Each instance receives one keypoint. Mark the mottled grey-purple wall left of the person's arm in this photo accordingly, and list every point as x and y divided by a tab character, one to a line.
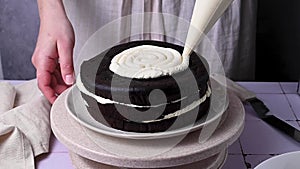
19	25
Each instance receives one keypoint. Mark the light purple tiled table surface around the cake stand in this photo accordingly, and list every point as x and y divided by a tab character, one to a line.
258	142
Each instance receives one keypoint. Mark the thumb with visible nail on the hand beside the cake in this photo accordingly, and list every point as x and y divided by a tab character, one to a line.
65	52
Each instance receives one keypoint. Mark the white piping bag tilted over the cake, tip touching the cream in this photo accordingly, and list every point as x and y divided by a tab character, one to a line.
205	15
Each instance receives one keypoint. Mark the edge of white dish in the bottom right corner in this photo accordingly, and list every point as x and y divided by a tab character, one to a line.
290	160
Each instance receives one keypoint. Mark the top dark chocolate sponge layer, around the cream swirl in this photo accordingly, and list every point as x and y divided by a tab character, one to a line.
97	78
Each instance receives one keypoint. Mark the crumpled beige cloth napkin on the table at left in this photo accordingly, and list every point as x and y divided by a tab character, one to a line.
24	125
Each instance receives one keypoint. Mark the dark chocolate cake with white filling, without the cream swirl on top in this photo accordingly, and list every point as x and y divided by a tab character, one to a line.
148	104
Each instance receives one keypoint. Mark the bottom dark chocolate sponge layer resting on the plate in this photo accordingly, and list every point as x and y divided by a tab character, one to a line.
109	116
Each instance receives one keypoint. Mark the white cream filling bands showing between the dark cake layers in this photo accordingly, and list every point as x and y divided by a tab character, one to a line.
177	113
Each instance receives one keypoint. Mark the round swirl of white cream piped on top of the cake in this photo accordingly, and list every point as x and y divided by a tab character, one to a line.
148	61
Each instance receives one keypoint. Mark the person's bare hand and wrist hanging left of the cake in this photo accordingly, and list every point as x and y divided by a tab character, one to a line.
53	55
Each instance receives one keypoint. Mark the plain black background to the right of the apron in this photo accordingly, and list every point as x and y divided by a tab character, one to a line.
278	40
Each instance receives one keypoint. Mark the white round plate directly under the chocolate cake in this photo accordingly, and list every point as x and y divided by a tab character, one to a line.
76	108
